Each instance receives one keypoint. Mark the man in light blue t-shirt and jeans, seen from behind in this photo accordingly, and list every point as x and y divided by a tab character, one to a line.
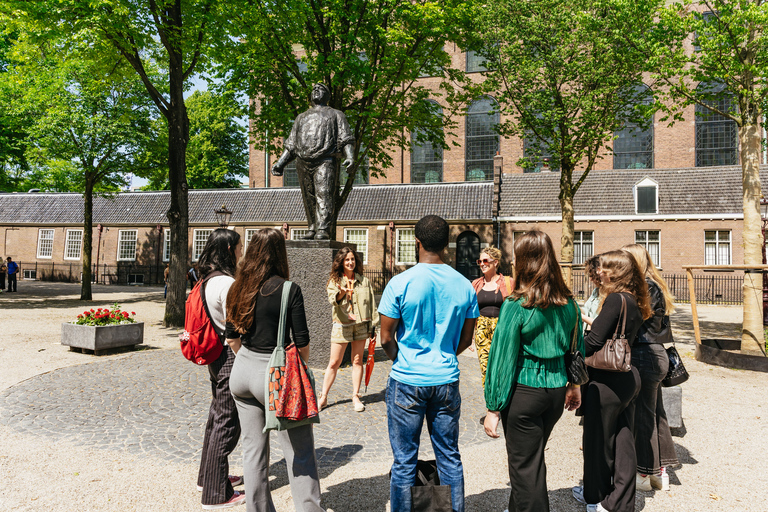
428	315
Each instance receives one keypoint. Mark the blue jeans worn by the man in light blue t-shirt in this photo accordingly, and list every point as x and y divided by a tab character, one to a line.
406	408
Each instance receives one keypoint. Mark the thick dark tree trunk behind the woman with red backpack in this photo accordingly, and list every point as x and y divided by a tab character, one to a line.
178	213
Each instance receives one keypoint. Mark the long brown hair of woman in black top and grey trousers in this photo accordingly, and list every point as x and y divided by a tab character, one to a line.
265	257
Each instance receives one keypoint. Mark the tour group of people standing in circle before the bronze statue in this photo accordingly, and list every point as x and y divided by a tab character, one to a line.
522	327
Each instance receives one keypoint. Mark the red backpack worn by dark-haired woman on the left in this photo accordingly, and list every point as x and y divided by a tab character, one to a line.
201	342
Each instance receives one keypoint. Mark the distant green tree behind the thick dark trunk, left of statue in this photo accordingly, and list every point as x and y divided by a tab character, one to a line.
217	154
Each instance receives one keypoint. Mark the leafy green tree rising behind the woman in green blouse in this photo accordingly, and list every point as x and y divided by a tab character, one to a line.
566	80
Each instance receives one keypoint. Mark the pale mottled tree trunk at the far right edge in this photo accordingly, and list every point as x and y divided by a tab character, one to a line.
752	336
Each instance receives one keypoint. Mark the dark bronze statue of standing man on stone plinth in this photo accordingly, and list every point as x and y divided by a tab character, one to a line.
319	136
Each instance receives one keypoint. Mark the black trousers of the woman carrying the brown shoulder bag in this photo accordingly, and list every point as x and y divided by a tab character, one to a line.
608	404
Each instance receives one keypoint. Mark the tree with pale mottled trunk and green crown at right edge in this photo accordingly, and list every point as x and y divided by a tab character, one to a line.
729	55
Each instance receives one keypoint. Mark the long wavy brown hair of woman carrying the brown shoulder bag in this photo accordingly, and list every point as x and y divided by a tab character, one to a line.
624	275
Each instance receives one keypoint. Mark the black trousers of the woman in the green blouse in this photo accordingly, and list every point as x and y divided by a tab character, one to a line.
528	421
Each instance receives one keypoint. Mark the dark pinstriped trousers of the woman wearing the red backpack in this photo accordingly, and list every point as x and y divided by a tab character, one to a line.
221	434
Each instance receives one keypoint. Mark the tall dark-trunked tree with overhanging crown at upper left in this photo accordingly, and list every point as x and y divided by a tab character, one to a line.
175	36
